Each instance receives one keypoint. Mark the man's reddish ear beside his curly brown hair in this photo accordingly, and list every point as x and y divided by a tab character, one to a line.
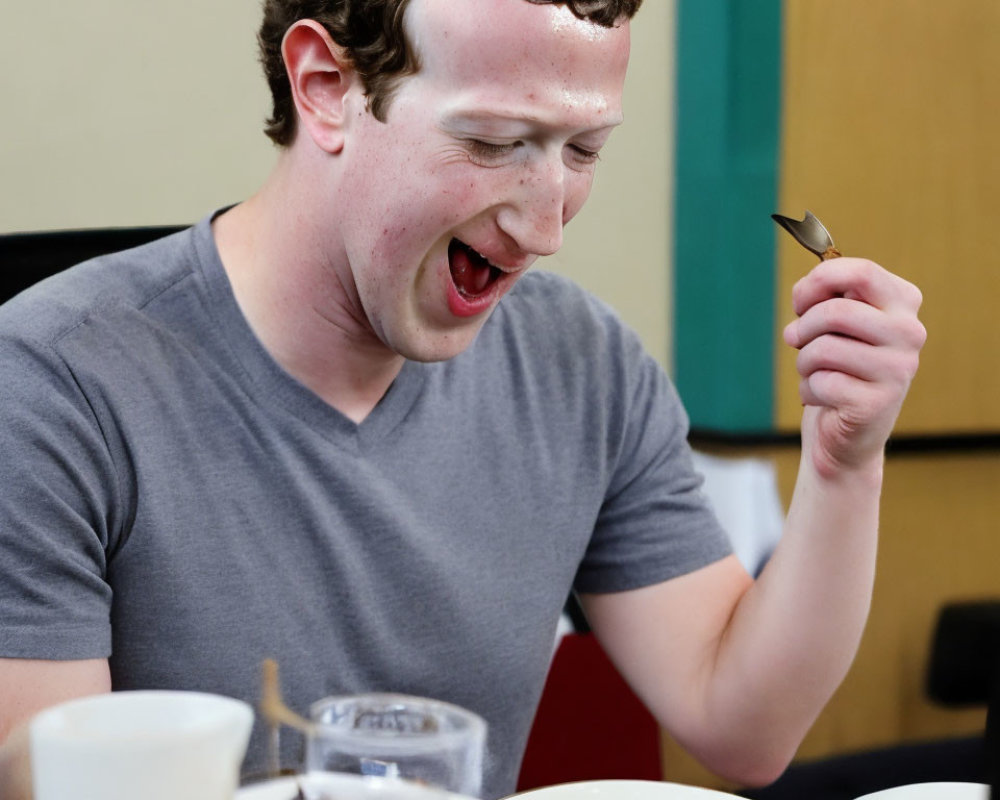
320	76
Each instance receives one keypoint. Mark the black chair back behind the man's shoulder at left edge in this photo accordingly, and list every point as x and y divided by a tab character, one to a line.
26	258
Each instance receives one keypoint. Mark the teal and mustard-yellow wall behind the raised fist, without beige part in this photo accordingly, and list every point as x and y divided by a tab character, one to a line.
882	119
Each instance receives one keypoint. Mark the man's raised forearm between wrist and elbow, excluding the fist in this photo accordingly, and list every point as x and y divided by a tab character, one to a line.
795	632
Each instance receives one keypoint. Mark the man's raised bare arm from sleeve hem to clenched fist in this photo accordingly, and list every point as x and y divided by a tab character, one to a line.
738	670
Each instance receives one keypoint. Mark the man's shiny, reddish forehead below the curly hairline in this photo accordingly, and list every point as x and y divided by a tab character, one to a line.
501	52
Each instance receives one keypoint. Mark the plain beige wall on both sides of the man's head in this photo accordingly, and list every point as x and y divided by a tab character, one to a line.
127	112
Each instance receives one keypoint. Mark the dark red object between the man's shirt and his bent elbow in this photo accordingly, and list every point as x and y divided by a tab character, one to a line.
589	724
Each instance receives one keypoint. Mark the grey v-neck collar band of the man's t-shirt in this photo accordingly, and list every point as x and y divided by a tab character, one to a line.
270	384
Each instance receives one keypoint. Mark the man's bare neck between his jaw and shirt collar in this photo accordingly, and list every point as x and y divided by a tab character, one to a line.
292	283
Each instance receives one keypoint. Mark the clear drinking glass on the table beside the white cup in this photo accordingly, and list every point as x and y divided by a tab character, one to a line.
399	736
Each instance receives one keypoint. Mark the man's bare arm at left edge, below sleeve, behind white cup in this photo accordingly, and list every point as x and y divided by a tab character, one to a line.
26	687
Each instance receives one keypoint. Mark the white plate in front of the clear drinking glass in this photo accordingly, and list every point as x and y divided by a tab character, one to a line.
342	787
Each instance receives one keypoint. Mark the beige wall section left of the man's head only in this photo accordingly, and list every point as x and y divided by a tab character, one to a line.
127	112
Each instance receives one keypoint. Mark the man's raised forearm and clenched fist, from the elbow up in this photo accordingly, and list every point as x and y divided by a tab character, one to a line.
795	632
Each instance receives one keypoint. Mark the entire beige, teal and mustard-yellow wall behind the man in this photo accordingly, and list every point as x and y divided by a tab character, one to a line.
880	118
